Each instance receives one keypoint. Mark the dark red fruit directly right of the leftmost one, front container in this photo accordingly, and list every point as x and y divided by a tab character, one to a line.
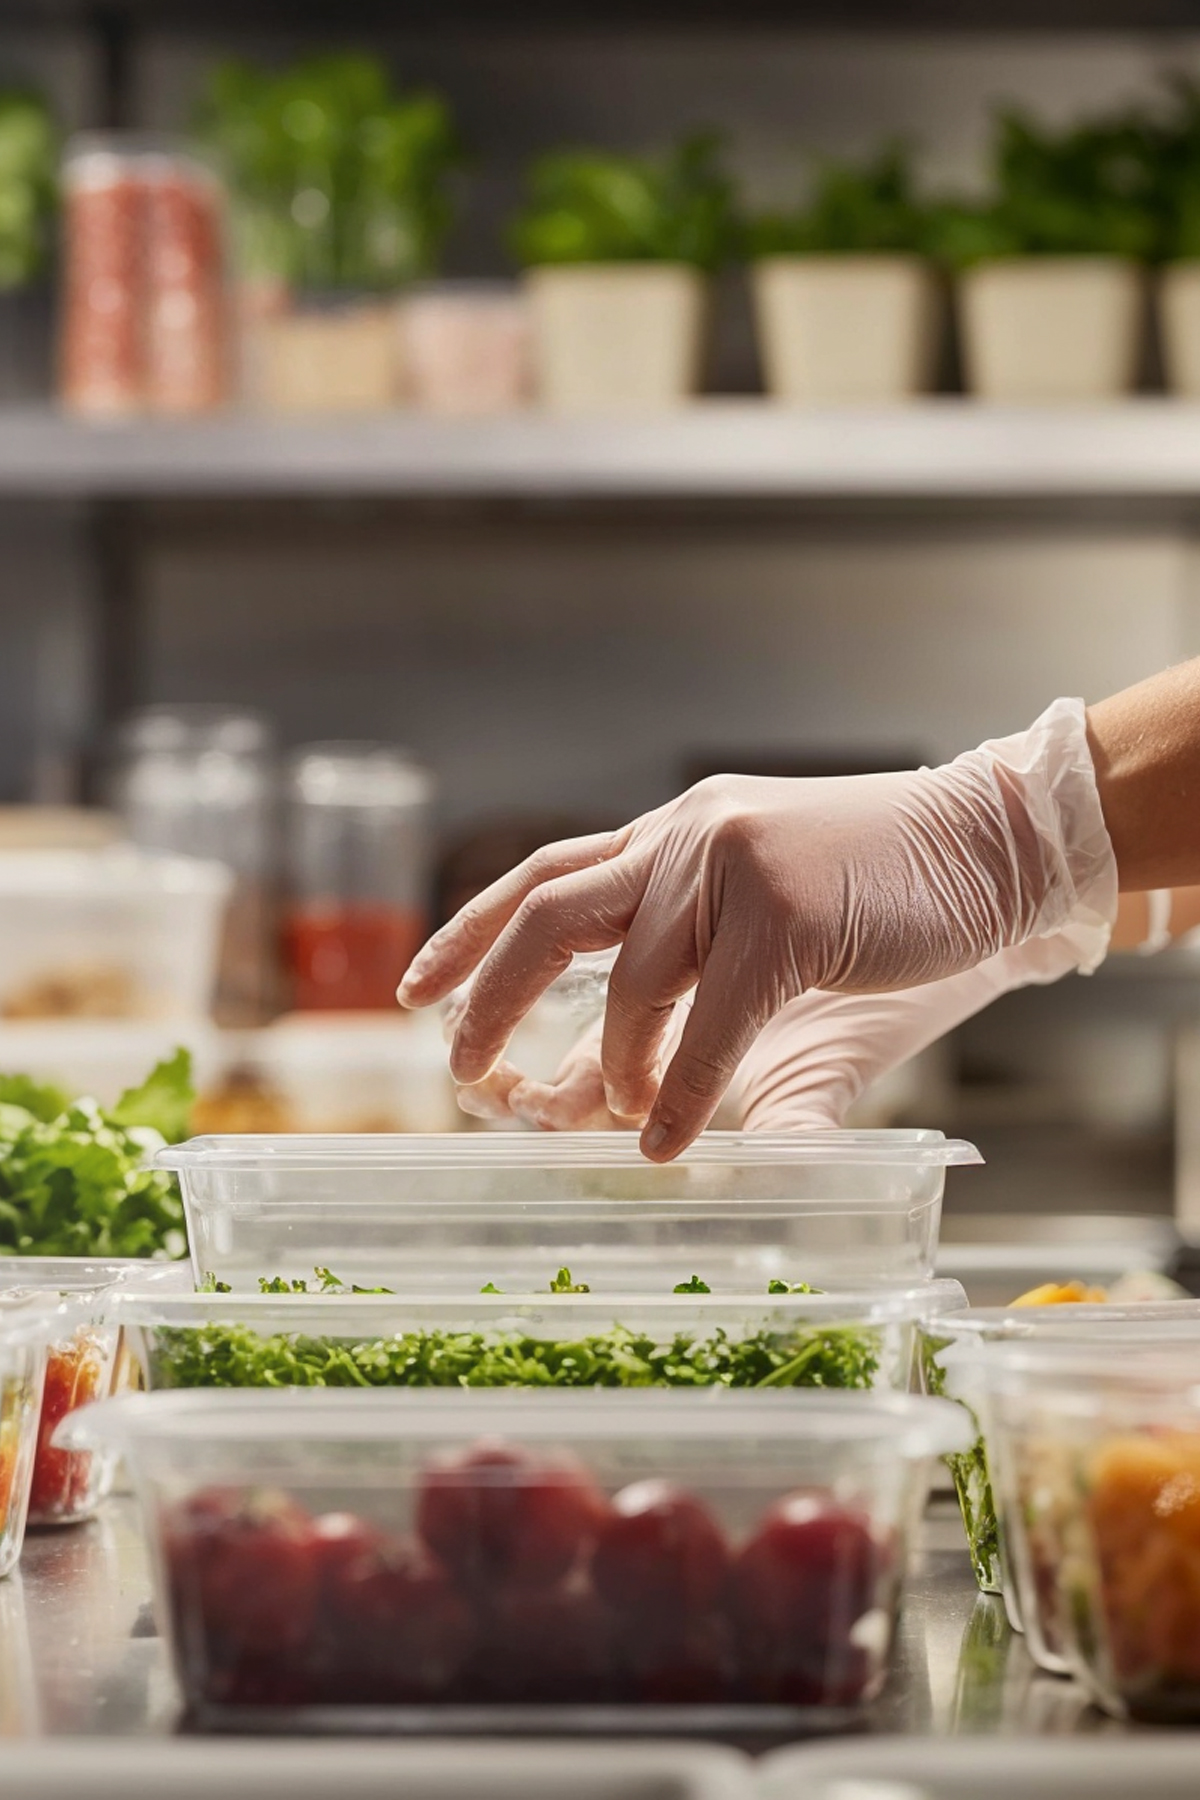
397	1626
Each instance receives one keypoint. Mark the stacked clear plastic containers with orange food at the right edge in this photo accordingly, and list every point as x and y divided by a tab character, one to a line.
1082	1489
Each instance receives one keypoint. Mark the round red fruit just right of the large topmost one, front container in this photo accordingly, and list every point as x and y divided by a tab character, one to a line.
661	1556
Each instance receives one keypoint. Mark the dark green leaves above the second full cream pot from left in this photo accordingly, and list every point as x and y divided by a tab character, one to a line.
854	210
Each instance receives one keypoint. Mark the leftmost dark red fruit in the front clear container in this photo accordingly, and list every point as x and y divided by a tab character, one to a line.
244	1570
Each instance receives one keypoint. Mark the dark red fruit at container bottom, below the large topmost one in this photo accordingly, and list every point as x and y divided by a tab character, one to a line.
546	1648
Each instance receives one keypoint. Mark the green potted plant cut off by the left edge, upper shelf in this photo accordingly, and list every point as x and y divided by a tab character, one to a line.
28	211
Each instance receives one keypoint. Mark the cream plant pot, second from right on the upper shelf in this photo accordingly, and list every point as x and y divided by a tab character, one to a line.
1052	328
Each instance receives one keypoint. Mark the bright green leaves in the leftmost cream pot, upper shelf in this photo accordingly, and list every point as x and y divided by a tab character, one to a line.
589	206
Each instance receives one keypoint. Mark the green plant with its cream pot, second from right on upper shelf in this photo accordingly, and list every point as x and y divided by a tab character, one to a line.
1052	269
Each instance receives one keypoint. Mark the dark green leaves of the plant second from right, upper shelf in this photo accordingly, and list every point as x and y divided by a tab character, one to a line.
1093	190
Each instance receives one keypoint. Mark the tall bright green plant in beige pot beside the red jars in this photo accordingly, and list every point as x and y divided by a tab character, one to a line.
341	201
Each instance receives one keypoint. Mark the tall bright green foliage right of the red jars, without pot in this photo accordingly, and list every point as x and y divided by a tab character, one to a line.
339	181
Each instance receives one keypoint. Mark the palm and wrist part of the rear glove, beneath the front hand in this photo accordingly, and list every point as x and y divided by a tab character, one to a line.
818	1056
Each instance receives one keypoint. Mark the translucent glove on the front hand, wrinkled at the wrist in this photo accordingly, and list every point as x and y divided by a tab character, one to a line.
758	890
